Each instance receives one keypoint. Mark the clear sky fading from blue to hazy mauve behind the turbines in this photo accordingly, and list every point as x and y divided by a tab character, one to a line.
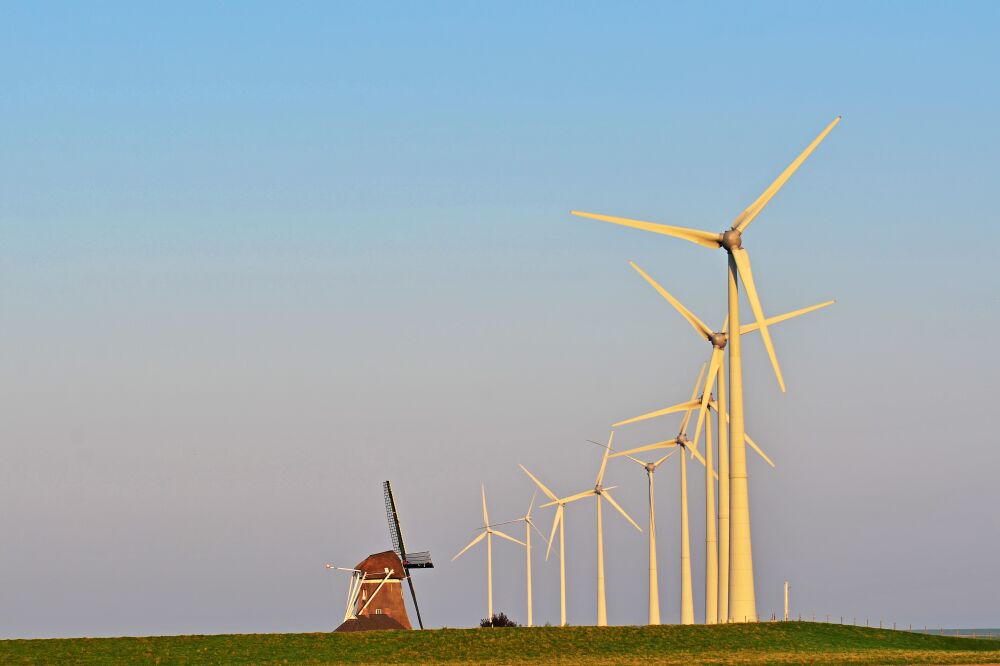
257	258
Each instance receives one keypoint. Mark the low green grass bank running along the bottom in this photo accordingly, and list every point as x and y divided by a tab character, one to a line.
766	643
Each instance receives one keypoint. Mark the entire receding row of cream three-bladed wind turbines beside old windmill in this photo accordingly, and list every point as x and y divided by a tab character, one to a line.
729	577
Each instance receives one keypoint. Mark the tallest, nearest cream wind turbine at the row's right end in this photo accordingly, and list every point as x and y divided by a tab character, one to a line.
742	603
